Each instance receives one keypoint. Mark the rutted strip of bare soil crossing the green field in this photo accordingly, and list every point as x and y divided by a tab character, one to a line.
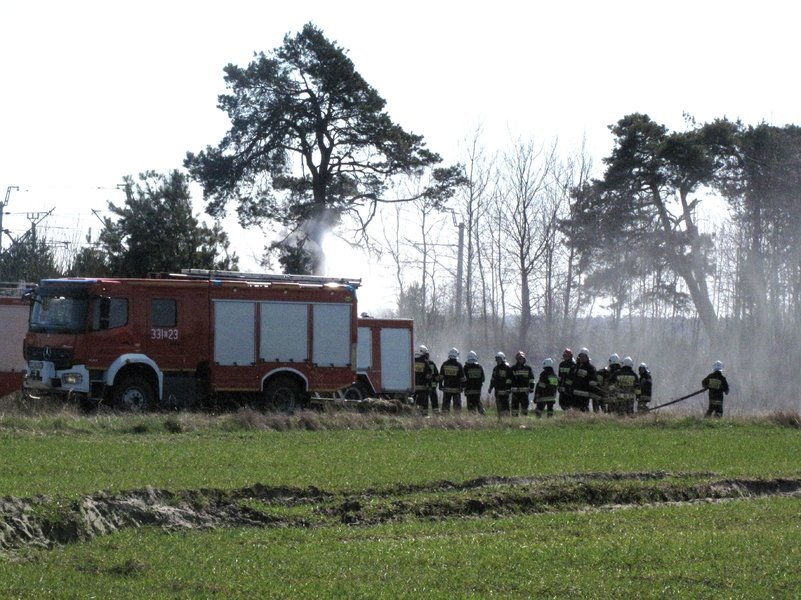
45	521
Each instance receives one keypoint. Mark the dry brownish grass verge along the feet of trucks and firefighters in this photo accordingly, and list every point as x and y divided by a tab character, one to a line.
43	416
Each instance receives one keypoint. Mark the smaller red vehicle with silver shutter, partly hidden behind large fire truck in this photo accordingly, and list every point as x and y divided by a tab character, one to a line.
384	359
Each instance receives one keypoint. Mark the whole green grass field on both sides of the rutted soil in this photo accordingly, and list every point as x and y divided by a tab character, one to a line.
416	536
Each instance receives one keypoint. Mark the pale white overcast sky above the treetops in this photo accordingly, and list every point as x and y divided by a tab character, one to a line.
93	91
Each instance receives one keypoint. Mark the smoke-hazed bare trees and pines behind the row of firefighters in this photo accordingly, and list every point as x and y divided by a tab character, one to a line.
685	250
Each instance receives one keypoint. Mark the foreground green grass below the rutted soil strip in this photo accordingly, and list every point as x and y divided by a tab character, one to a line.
739	549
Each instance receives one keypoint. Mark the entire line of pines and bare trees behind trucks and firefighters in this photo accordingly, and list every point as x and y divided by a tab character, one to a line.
686	248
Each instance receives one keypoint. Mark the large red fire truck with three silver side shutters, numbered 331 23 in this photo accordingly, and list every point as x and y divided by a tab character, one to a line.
183	338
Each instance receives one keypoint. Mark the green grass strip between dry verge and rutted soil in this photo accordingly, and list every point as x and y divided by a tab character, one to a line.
83	459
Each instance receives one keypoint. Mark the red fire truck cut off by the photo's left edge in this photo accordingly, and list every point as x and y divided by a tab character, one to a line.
14	320
